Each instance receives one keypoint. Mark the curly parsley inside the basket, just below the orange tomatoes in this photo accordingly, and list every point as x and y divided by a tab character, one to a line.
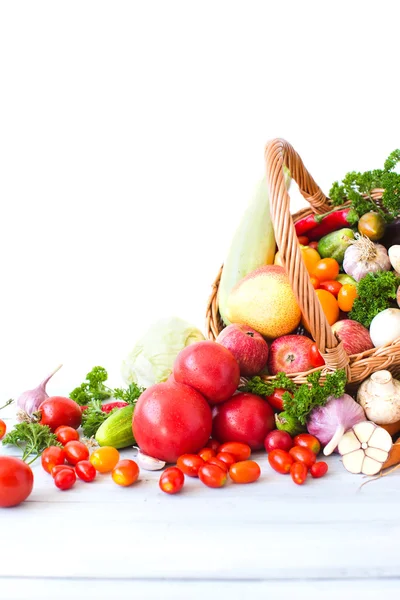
375	293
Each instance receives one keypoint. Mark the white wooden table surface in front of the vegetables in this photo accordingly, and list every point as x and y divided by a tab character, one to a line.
269	539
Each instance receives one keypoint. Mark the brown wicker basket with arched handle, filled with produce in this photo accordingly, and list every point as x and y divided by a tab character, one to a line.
358	366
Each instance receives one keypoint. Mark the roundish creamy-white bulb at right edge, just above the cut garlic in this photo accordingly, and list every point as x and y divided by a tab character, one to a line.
379	395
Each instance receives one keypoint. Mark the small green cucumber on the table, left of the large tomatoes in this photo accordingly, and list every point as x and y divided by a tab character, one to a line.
116	431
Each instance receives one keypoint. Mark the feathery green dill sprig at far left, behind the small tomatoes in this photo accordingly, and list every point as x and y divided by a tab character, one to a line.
31	439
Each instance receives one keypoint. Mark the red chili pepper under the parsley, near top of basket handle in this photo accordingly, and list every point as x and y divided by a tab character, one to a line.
316	226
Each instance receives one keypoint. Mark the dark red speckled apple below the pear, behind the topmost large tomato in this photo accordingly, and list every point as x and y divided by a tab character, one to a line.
247	346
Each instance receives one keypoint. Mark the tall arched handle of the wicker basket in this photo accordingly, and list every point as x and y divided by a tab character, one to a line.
279	153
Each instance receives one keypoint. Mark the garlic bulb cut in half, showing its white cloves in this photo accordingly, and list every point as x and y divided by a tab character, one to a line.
365	448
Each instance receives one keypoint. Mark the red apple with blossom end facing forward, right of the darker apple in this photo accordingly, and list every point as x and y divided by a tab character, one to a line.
290	354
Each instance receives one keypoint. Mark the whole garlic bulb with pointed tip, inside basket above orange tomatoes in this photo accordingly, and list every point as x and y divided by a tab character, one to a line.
363	256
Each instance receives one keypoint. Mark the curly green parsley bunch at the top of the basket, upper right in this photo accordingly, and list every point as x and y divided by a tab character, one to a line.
355	185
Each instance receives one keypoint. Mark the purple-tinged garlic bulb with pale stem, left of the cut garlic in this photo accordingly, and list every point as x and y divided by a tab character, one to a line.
328	423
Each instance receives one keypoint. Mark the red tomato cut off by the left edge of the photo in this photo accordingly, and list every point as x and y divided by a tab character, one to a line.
16	481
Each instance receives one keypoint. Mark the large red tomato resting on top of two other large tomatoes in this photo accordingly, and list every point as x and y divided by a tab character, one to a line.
210	369
